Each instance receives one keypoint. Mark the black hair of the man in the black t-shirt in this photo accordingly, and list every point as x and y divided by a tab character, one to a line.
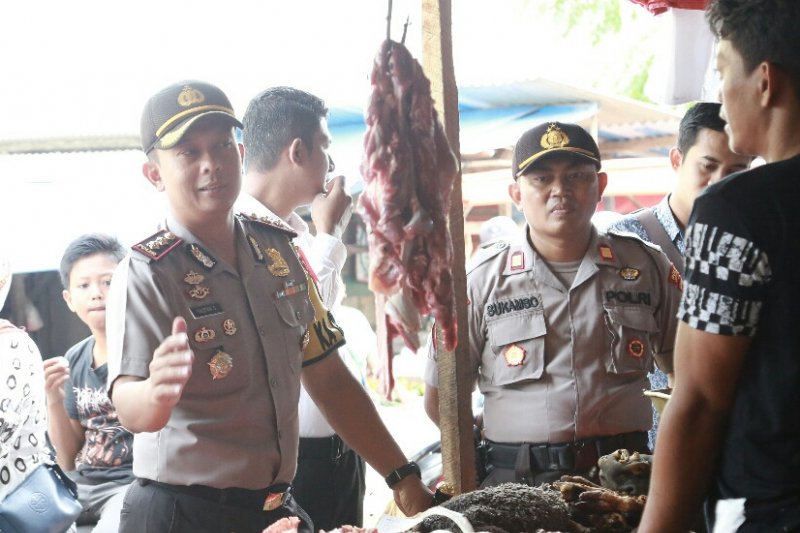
760	30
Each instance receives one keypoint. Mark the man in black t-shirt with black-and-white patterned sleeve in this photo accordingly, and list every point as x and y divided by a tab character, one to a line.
730	432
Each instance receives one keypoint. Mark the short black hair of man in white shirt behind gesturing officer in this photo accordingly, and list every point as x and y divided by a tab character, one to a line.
273	119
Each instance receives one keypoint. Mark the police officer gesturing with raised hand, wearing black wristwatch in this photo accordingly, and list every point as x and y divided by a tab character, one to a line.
212	322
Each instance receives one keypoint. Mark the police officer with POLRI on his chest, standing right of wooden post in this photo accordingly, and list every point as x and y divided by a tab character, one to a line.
564	322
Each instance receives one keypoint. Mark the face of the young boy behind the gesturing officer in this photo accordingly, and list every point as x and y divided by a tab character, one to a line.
89	280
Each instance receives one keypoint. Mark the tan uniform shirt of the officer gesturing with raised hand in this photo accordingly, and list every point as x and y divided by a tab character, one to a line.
238	429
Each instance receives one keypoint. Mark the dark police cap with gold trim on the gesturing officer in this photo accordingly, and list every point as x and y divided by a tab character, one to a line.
170	113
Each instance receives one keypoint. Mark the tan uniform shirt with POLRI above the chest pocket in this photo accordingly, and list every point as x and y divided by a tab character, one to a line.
558	364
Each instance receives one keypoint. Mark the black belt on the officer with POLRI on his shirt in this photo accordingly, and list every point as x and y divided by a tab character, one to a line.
576	456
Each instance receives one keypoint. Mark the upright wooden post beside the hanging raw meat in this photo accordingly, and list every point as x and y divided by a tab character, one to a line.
455	382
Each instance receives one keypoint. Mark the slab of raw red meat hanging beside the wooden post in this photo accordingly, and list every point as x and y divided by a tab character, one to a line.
408	170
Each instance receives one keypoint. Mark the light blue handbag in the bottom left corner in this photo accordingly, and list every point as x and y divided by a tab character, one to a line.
45	502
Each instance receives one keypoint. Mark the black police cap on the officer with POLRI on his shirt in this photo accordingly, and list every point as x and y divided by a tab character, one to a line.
553	138
